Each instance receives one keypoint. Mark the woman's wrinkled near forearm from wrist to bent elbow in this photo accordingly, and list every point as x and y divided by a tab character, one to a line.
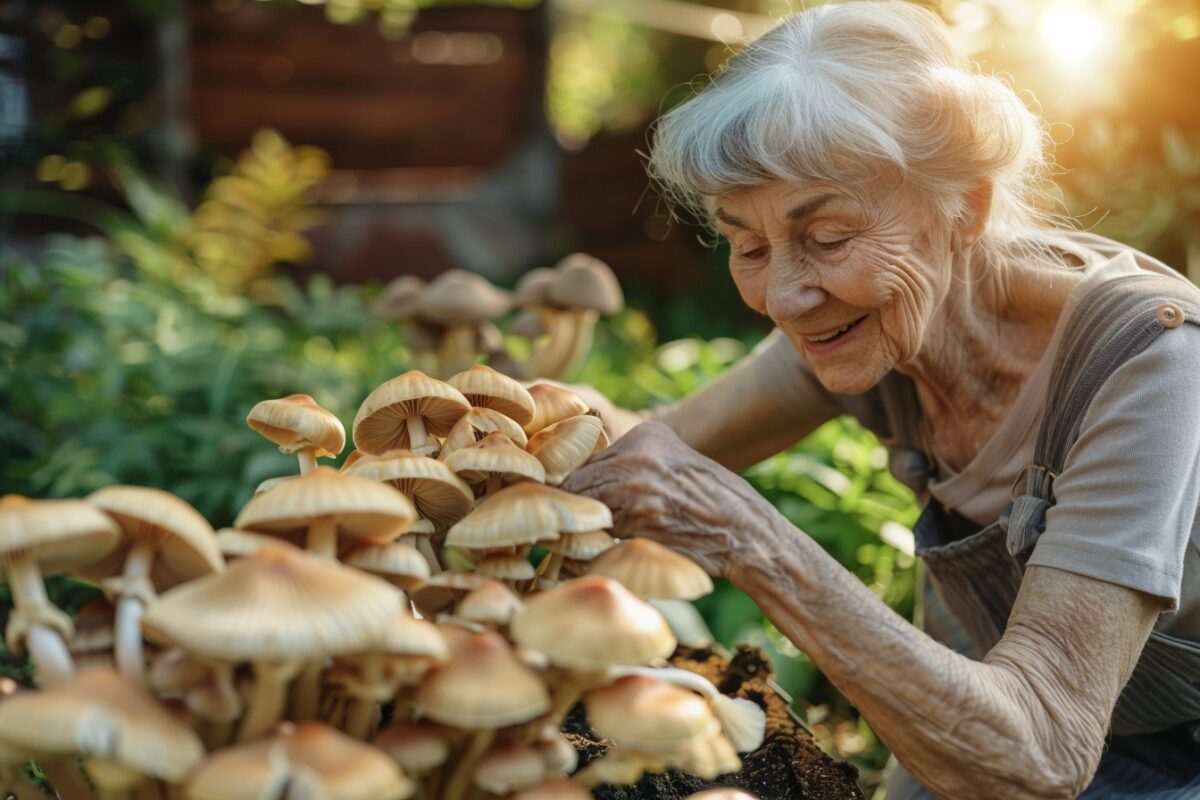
964	729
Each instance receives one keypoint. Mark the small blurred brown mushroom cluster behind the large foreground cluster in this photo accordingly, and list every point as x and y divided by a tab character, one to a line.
449	323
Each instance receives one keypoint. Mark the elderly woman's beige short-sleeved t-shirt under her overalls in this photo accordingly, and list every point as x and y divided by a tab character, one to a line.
1129	500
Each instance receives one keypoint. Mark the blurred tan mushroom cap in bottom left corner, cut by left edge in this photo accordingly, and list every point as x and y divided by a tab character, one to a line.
101	714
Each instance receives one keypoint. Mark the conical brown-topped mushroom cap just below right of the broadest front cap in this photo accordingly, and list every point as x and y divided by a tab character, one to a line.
483	687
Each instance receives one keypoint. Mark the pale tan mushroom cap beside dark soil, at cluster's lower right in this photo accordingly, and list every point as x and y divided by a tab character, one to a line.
647	715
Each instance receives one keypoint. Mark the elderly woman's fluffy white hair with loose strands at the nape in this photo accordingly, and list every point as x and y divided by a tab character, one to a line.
855	93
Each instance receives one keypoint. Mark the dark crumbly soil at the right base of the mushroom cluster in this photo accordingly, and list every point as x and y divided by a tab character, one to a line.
789	766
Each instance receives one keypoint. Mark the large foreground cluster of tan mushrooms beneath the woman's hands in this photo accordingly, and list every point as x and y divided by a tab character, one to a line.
368	634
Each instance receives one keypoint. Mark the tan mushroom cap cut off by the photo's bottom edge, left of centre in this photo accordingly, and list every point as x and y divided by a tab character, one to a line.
310	761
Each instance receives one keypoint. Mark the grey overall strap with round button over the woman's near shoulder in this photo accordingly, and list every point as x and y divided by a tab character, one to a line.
1114	322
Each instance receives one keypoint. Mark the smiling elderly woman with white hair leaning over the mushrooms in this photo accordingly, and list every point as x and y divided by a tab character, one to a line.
881	204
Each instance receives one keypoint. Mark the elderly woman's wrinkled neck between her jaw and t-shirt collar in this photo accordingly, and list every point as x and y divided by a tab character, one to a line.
985	342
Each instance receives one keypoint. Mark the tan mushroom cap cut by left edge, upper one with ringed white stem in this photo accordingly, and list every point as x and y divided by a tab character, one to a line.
61	534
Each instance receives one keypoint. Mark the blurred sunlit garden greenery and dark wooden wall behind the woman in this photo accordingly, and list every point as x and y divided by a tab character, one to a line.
200	201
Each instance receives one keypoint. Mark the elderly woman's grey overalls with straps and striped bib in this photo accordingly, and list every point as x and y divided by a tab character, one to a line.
1154	751
